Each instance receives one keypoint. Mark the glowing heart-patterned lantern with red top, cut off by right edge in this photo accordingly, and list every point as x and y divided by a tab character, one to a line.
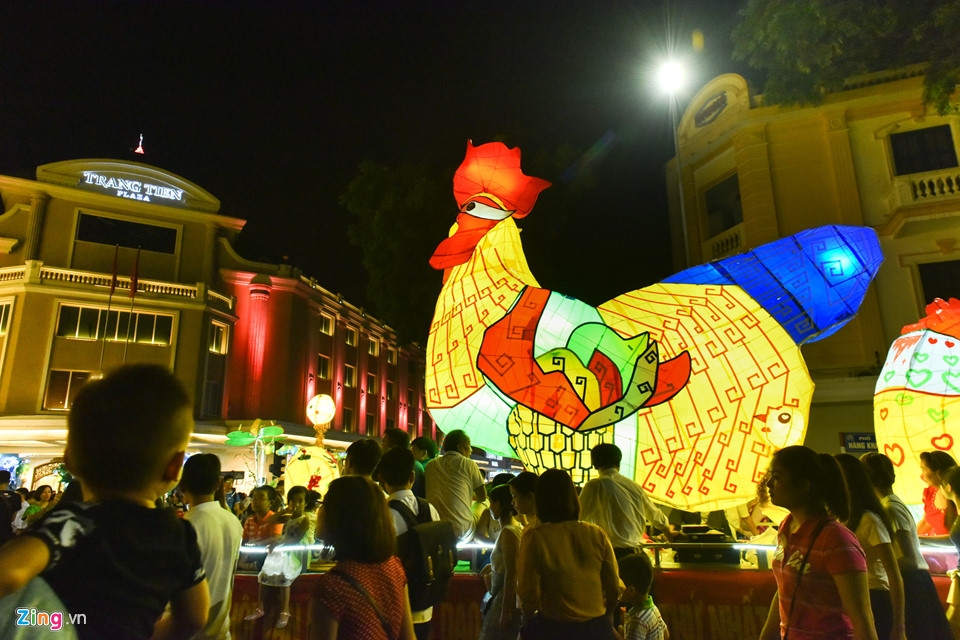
916	406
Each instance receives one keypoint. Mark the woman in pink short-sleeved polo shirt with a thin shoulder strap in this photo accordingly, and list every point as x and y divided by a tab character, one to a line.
821	570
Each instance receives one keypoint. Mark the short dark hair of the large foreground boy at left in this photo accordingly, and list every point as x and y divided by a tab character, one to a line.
123	428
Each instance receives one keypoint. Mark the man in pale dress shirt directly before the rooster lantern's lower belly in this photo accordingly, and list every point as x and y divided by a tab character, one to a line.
617	504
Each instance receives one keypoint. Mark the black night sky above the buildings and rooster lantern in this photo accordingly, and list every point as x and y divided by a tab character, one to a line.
272	106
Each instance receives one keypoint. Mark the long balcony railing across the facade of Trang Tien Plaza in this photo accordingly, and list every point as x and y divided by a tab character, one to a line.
36	270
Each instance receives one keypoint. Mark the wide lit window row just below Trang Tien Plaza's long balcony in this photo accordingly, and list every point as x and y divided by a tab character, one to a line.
92	323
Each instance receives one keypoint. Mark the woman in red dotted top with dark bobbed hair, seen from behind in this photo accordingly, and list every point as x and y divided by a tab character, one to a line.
355	519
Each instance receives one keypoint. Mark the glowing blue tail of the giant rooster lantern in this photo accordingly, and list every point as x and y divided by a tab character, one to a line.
812	282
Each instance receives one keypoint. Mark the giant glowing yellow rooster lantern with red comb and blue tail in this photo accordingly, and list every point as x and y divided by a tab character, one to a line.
697	379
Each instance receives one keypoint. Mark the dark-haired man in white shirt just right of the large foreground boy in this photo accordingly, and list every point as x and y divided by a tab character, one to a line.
218	535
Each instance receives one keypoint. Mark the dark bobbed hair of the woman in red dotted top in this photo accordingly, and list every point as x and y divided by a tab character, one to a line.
357	521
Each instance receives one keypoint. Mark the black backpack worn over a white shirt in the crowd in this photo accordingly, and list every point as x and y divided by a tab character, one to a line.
428	551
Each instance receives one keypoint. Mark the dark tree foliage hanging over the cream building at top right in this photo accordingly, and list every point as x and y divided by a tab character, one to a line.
809	47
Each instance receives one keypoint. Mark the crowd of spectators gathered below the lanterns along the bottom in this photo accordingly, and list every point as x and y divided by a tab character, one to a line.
567	562
